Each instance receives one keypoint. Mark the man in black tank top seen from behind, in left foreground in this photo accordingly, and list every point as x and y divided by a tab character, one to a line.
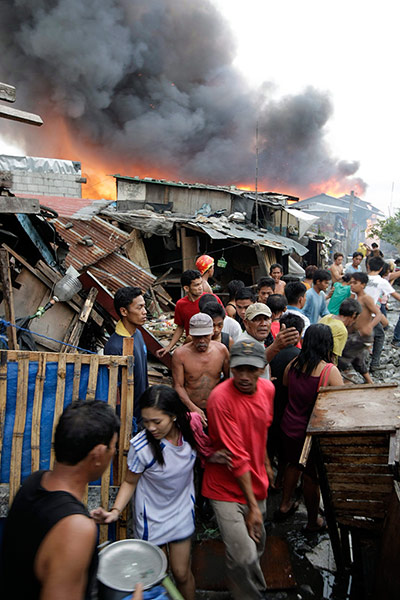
49	544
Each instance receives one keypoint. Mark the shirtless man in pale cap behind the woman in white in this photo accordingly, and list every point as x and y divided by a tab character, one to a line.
197	366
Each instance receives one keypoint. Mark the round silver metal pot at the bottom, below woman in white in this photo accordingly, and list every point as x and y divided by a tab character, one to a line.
125	563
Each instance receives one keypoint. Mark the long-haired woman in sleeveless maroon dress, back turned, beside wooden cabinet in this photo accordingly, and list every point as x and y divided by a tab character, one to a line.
304	375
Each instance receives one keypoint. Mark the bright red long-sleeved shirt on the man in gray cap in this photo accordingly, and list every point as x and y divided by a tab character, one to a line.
238	422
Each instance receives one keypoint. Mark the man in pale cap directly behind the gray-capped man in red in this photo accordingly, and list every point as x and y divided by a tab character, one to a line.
257	324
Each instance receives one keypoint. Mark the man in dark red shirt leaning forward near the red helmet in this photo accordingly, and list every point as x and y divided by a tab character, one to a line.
186	307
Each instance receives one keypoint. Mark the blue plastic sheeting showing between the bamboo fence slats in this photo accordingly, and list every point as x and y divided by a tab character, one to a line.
47	413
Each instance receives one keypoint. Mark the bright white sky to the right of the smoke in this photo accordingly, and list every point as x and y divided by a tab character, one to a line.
348	48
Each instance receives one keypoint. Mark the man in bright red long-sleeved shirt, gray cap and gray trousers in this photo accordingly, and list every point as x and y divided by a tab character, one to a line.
239	412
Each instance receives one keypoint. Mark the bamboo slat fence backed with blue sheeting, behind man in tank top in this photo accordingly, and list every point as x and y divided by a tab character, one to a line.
26	397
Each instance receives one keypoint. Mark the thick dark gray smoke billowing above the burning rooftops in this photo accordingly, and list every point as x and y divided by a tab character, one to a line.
151	82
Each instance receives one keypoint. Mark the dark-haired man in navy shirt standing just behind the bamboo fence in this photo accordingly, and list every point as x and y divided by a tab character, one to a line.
130	306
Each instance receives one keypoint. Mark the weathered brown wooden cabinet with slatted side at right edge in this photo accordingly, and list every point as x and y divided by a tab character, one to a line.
356	443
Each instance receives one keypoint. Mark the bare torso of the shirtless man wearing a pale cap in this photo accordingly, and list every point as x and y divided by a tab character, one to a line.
196	373
